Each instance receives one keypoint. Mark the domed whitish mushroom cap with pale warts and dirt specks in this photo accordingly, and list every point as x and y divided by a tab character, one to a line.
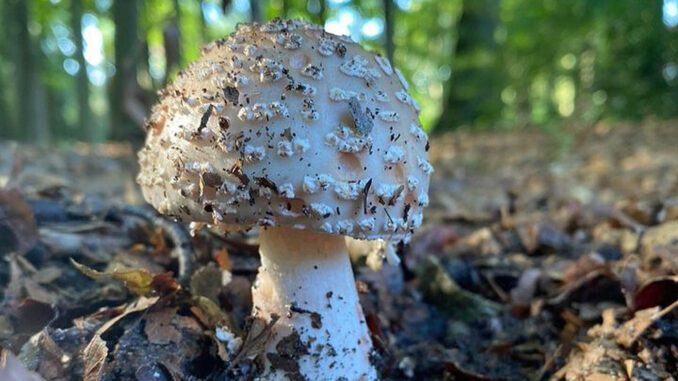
284	124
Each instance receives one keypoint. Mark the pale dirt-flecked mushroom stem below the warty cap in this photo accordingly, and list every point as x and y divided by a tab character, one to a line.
306	279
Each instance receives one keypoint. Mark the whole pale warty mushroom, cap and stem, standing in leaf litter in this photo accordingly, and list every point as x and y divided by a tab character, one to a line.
311	138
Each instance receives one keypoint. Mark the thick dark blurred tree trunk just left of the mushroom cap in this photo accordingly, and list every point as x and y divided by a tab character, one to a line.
124	84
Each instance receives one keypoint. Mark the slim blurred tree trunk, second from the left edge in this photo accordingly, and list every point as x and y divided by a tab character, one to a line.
84	126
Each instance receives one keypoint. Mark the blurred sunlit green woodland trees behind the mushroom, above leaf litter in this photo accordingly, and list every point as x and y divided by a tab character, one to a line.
89	69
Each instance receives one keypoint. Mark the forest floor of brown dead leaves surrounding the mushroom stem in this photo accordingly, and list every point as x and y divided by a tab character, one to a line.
542	257
